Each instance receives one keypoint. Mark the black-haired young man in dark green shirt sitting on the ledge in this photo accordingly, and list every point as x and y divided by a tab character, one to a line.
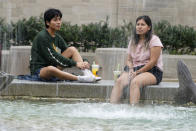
50	54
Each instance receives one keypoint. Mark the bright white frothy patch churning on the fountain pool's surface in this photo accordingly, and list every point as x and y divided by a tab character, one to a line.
109	111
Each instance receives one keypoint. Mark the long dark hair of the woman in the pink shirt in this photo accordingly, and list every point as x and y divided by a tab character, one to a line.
148	35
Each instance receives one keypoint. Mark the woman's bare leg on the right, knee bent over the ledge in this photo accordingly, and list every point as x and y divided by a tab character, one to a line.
138	82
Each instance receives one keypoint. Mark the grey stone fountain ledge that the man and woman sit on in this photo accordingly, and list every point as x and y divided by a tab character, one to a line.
74	91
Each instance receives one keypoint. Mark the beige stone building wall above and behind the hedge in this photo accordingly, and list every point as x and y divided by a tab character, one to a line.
86	11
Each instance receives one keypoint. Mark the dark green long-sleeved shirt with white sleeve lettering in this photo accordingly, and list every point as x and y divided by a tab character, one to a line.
46	51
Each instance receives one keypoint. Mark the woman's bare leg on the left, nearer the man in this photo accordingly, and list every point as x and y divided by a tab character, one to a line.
117	90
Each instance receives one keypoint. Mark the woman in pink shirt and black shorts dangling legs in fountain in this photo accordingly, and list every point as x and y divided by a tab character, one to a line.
144	63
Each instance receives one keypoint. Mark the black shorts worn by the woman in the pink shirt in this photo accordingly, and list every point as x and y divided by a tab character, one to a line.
155	71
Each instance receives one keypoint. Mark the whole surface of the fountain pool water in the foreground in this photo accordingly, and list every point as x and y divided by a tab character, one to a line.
26	115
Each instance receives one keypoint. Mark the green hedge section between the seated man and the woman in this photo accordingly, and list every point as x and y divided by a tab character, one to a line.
95	35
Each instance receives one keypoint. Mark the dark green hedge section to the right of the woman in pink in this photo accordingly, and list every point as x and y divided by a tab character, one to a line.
177	39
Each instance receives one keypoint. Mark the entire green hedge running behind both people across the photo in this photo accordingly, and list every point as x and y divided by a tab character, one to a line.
177	39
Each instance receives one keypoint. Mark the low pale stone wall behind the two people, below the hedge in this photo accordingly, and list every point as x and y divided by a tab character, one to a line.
16	61
